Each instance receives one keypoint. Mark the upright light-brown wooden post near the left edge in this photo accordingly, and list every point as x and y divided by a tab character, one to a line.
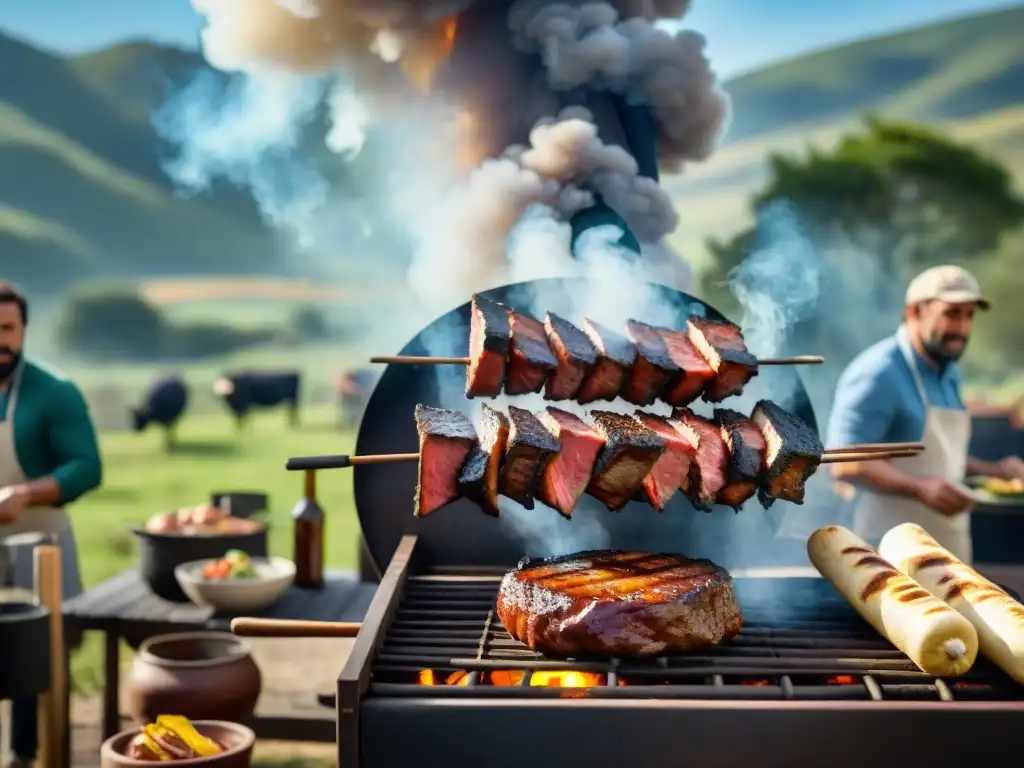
52	705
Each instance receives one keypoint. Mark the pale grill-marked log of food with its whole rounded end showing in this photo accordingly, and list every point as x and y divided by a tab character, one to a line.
935	637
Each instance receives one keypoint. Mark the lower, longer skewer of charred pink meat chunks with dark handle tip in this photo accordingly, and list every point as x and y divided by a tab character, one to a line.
558	457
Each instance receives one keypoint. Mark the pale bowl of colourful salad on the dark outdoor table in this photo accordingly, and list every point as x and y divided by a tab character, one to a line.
236	583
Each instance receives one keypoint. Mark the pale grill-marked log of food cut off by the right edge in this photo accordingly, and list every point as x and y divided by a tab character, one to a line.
998	618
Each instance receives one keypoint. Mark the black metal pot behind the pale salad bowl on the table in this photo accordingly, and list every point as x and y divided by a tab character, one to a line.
159	554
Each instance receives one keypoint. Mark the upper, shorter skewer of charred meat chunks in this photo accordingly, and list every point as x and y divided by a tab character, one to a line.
509	349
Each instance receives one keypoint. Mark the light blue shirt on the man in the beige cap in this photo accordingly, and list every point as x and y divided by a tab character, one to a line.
877	400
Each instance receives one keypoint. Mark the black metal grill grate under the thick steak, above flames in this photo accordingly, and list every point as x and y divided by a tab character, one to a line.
817	650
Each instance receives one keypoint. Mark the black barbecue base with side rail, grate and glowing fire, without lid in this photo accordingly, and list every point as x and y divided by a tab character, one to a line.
435	678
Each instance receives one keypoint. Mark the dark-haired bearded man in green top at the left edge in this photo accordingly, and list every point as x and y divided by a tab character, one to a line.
49	458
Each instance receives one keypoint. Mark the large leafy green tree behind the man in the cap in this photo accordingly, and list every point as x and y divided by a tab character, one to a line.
904	193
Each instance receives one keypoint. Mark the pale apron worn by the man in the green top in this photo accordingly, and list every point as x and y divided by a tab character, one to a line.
52	521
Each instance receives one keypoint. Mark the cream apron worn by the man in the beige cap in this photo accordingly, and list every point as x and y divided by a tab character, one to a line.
947	440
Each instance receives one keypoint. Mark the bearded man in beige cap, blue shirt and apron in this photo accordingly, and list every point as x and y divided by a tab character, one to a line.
907	389
